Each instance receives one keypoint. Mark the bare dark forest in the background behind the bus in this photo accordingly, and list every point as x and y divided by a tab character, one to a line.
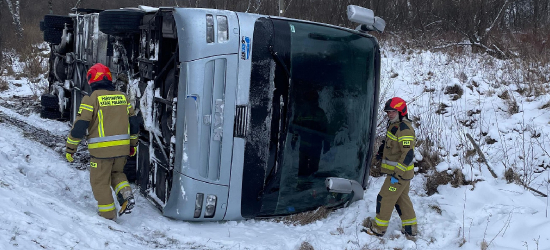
502	28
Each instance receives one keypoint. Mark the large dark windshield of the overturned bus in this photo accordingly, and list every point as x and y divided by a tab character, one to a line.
329	113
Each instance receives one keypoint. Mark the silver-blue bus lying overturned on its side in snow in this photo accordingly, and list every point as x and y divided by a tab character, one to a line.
243	115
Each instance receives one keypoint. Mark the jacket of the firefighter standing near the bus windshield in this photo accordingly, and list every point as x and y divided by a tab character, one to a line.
398	153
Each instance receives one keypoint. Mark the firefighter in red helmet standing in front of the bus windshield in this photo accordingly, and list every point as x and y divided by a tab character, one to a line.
397	162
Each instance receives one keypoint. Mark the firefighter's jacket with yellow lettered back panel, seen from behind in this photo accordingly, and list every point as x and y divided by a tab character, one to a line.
112	127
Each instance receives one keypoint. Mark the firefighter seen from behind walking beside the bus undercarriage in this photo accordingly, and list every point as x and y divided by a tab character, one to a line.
112	128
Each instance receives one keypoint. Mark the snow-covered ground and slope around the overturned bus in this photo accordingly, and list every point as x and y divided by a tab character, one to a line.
46	203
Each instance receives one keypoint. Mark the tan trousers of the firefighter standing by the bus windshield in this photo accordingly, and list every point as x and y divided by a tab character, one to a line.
395	195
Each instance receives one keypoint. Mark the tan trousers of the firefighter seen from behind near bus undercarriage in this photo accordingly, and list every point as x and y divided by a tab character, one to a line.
104	175
